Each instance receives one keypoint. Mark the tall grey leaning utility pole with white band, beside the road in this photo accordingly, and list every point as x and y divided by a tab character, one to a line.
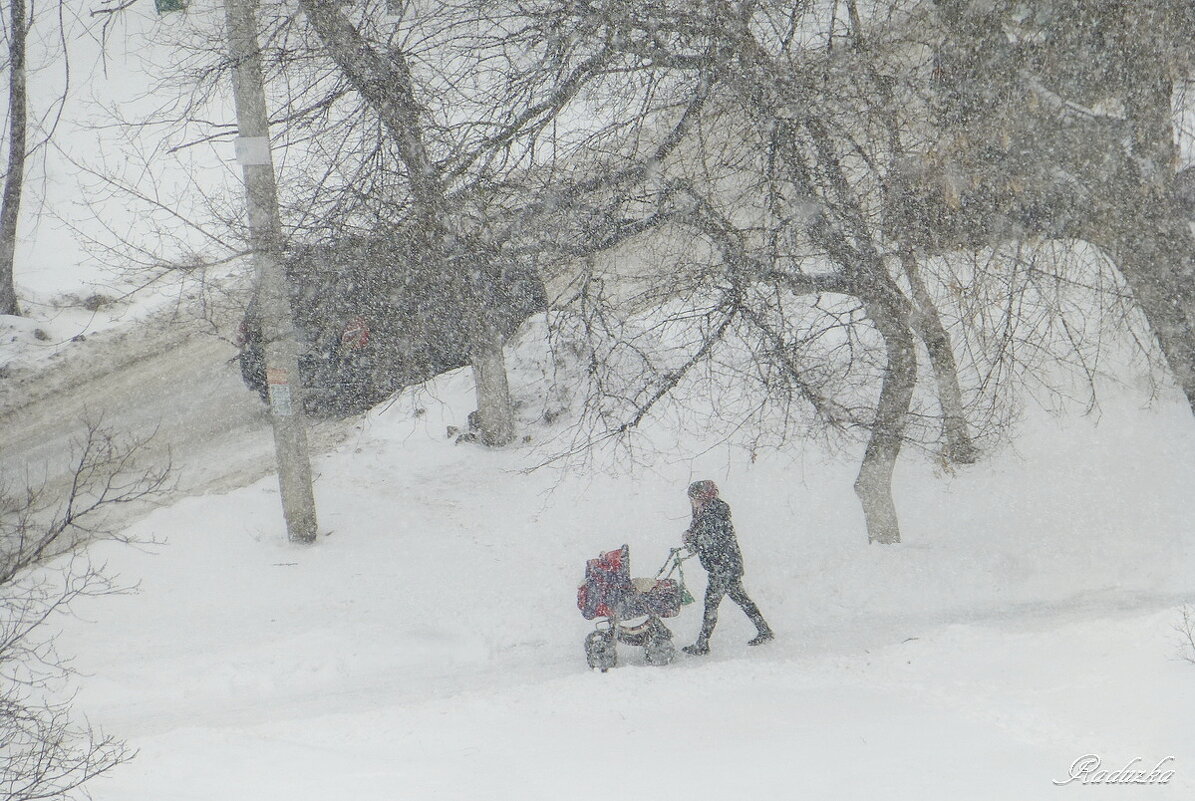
274	302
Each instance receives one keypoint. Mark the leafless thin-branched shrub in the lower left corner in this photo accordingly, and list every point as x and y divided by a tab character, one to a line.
45	567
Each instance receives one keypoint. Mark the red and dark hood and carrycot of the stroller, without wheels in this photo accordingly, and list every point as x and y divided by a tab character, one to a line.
609	590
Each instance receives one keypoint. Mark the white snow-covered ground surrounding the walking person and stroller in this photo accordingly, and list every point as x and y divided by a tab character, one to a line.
430	646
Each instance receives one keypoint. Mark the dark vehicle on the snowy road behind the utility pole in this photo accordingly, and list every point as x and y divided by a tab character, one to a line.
367	326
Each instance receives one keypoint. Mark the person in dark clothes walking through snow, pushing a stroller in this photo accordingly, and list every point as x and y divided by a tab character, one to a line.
713	537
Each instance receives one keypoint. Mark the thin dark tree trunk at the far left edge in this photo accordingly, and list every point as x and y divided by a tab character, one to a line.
15	180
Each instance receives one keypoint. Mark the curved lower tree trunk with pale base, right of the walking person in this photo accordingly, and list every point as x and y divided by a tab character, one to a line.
875	480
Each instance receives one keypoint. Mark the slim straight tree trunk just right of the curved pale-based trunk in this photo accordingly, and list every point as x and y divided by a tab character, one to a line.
928	325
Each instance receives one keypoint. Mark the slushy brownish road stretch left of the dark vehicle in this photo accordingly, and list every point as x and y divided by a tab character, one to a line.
171	380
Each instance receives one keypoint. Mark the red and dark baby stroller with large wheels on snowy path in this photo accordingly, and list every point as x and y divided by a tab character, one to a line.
612	595
